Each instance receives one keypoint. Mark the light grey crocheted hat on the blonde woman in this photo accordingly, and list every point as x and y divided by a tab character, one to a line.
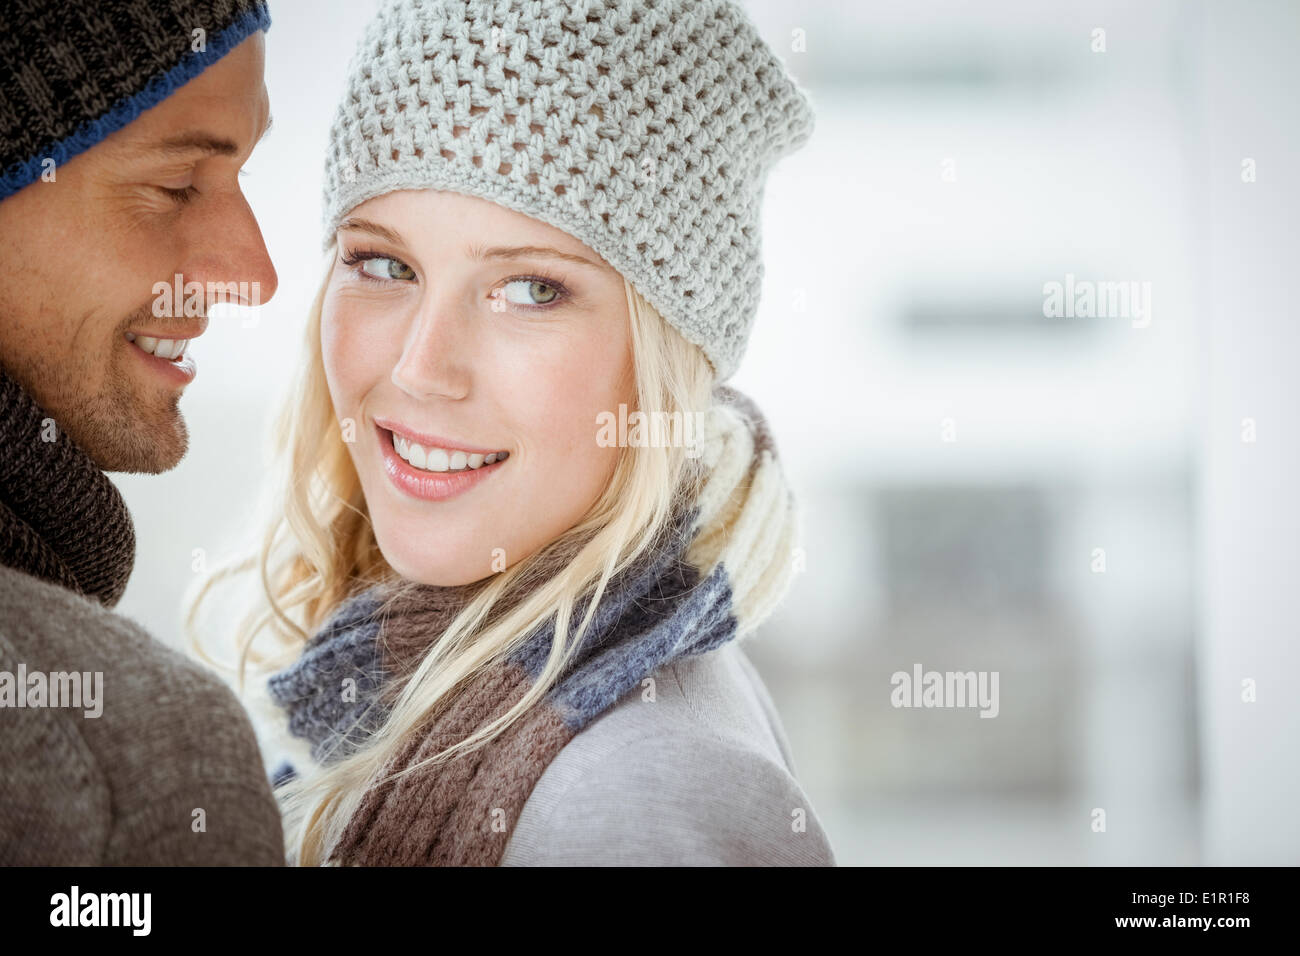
643	129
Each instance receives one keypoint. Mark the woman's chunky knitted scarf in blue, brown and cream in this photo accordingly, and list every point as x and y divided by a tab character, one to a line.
723	565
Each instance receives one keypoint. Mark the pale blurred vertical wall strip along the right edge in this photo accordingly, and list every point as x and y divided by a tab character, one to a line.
1250	471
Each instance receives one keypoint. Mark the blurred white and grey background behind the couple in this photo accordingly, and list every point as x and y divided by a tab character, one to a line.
964	157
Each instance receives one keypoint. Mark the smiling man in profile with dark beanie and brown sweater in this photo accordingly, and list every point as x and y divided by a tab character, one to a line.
124	129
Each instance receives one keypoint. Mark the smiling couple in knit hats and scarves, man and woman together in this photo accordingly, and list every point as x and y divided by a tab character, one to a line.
496	639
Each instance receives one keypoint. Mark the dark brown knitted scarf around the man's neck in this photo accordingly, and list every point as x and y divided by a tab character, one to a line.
62	520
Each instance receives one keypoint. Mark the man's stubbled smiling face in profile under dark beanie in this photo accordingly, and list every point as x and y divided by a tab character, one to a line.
80	258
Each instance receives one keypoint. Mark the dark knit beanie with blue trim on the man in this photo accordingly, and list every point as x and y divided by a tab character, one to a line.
76	71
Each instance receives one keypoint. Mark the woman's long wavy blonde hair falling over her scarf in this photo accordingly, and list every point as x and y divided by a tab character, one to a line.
320	548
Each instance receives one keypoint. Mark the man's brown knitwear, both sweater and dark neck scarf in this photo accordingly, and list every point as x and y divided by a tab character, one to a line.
168	771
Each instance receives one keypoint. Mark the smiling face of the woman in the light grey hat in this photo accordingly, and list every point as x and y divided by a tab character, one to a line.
456	331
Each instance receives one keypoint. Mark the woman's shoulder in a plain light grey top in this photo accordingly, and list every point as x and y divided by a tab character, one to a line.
694	768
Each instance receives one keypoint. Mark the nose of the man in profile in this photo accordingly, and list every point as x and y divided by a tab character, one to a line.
235	261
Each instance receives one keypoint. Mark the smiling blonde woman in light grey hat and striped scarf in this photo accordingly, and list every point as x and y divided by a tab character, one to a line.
513	605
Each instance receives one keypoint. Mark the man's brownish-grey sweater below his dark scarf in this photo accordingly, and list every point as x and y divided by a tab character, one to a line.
168	775
